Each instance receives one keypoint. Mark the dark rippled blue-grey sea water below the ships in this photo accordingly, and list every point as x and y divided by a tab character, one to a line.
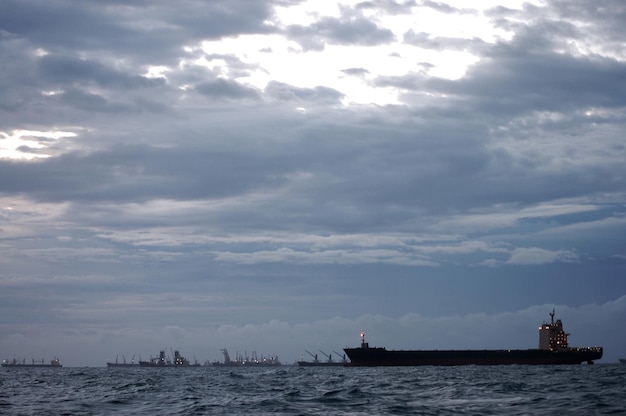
291	390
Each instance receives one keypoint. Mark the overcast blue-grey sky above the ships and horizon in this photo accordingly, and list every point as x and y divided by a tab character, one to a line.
280	175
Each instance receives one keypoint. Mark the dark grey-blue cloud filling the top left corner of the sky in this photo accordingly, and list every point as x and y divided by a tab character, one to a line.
142	31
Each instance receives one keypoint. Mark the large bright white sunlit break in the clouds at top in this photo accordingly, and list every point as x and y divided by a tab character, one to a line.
277	58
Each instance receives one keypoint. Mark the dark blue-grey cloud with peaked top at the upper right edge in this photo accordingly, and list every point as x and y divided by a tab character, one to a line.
525	75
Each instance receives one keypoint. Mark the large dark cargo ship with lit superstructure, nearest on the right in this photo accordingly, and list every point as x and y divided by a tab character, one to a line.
553	349
